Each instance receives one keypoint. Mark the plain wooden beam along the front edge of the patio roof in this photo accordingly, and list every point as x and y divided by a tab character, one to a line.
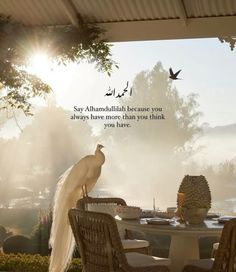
169	29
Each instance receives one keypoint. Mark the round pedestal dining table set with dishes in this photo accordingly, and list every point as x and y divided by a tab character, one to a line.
184	244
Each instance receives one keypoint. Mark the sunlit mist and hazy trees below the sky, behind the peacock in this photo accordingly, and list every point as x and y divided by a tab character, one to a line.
145	161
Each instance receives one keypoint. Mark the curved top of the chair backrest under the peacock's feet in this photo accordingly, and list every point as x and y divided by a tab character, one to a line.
81	203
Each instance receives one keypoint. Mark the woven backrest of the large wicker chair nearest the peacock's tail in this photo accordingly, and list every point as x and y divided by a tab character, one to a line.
98	240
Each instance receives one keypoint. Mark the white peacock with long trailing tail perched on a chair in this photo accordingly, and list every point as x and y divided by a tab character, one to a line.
68	191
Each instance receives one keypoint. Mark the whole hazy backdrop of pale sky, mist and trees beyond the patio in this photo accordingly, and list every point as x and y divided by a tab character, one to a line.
147	160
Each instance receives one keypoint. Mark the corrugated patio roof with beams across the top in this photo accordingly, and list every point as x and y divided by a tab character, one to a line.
132	20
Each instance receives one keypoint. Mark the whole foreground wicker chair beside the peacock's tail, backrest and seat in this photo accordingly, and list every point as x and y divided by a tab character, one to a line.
99	243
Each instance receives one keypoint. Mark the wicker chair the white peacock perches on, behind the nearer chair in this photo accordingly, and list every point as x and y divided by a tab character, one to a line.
129	243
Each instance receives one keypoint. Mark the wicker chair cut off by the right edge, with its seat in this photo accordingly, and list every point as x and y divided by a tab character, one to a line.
225	258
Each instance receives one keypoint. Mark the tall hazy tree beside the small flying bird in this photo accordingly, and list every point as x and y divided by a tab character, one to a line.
154	89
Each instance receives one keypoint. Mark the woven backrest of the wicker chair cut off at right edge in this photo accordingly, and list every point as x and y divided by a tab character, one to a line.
225	259
